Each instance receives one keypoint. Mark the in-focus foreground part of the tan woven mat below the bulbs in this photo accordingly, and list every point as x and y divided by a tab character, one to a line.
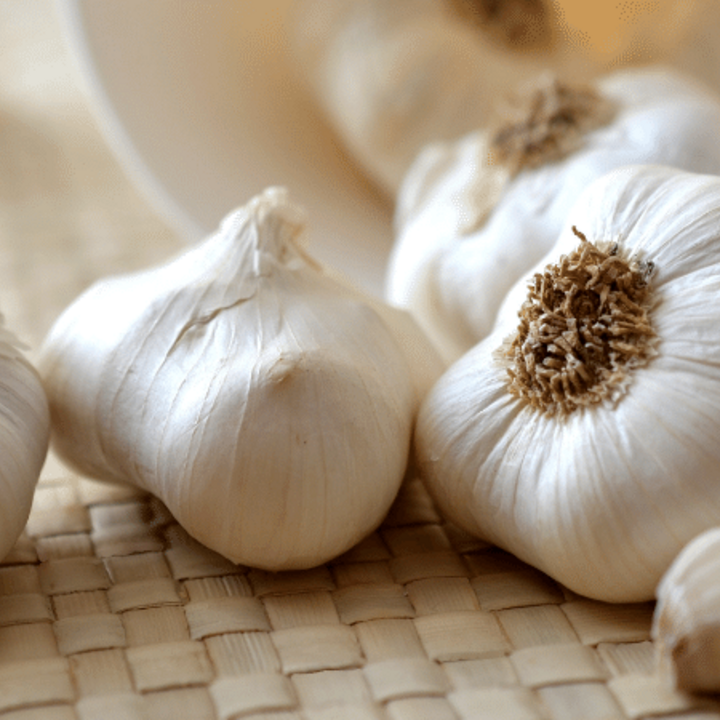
108	609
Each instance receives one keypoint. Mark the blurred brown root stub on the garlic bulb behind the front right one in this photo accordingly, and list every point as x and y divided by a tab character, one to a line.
549	125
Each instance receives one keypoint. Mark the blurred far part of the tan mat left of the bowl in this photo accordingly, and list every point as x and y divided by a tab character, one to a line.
63	195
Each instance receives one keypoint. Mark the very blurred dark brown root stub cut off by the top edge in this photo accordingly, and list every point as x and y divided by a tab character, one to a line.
519	24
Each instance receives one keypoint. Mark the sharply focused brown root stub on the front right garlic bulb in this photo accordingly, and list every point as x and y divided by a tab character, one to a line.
583	328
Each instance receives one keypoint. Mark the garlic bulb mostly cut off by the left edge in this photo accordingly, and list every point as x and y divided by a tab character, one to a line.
24	433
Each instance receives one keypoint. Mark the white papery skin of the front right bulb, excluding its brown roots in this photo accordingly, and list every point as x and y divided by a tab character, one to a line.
604	499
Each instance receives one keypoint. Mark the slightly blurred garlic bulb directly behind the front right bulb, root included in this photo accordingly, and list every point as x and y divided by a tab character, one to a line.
476	214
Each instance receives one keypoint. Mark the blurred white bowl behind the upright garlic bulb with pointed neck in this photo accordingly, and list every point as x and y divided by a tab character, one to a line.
199	101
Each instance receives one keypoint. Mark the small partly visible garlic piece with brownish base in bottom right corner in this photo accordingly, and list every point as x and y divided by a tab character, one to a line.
686	622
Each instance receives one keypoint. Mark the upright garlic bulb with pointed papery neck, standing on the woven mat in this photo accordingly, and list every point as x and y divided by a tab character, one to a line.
267	405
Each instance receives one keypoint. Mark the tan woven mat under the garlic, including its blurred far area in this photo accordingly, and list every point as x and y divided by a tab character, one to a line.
109	610
